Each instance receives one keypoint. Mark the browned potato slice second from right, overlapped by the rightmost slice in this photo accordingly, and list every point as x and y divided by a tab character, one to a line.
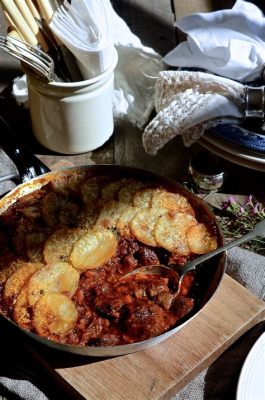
170	232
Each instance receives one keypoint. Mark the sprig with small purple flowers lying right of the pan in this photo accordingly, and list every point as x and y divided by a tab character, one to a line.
237	219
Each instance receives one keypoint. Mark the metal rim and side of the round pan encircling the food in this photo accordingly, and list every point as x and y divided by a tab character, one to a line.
110	169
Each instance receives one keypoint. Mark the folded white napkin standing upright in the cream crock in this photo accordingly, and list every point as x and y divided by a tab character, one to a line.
84	28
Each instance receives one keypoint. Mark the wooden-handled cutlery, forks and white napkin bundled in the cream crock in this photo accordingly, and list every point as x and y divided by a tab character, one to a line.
59	30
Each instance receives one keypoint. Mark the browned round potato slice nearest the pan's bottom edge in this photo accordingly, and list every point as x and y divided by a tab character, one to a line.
54	314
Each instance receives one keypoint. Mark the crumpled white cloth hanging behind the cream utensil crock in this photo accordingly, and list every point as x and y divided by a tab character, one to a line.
135	75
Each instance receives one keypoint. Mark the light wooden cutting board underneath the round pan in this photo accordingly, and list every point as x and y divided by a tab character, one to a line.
161	371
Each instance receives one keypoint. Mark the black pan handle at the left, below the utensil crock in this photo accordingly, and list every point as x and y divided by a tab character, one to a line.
27	164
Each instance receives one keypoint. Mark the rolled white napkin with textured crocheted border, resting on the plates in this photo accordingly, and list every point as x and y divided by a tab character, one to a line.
187	103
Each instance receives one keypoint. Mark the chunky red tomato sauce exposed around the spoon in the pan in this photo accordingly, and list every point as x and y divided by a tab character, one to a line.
115	310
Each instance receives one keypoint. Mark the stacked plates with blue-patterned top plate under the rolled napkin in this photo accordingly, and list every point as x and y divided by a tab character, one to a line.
238	144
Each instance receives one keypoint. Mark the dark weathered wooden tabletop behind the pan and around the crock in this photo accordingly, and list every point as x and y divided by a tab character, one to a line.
125	146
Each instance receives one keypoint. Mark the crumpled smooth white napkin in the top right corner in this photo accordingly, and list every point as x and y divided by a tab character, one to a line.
229	43
